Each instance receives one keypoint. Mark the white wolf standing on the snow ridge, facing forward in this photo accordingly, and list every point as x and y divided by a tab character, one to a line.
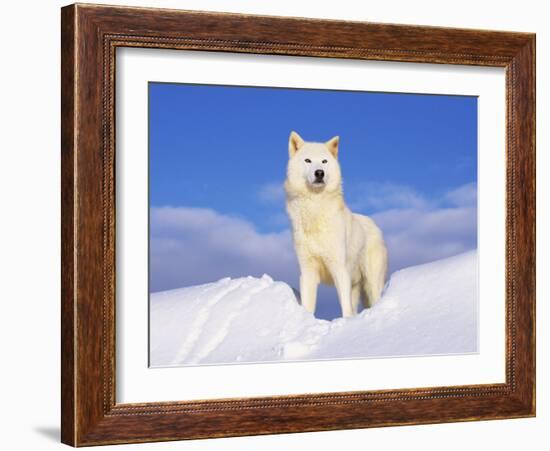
333	245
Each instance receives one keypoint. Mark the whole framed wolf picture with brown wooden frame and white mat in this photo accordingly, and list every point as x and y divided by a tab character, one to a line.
279	225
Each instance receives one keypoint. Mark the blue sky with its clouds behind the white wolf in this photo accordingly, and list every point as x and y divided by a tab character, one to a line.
218	157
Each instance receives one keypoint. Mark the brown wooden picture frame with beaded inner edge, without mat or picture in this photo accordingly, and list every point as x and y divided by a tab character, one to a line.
90	412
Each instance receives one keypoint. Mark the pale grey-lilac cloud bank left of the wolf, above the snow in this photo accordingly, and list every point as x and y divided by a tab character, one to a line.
197	245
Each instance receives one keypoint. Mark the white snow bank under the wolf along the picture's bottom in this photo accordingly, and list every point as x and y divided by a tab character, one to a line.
426	309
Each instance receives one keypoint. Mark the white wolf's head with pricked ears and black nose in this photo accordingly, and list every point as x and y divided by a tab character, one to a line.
312	167
